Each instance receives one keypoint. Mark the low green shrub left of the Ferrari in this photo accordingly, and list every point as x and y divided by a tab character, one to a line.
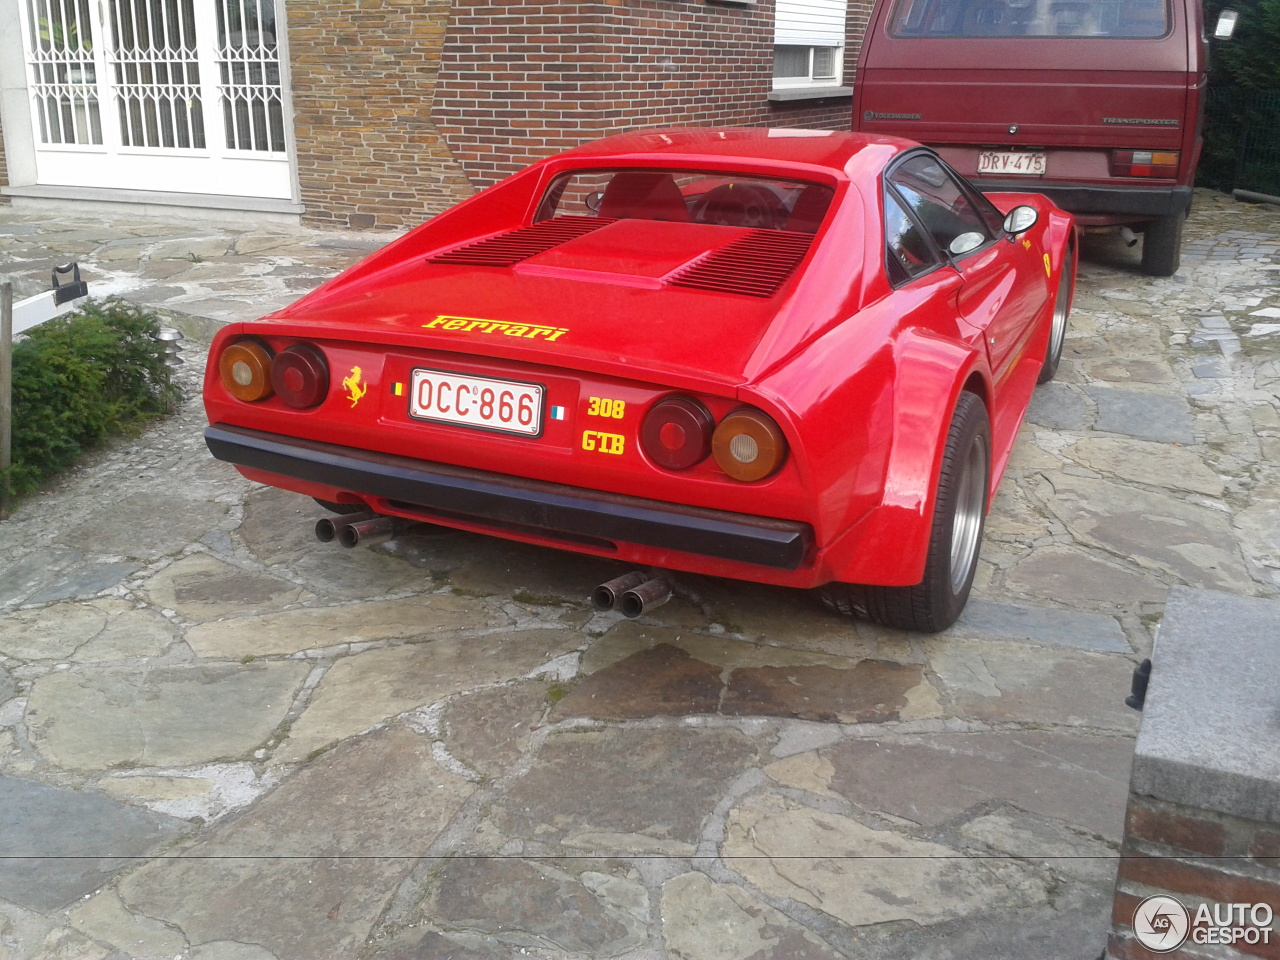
80	380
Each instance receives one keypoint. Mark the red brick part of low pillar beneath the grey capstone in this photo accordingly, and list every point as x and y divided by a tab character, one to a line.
1196	857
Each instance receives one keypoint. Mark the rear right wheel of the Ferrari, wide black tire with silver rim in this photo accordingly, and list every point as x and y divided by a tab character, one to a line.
959	516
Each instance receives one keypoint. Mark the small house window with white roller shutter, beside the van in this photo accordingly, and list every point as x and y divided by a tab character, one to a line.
808	44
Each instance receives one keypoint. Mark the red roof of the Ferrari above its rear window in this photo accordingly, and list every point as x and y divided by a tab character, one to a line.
831	150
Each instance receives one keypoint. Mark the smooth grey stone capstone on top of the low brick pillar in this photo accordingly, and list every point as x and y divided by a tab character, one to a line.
1212	723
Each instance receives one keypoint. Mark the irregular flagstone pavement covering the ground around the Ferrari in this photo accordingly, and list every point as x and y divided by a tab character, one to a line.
223	740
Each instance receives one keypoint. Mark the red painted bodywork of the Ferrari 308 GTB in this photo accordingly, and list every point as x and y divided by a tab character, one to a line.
862	378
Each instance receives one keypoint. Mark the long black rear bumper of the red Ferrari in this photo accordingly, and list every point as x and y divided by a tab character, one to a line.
555	510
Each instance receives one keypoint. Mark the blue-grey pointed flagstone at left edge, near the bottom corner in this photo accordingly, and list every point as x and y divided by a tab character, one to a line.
58	845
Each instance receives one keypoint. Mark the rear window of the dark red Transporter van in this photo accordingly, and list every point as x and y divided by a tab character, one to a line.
1030	19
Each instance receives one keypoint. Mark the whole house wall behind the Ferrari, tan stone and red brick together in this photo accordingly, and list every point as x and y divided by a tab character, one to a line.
405	107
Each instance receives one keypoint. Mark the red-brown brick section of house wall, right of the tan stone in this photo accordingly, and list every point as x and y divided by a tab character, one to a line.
520	81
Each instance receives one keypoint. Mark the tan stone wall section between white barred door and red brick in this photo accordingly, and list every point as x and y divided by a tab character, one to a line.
364	77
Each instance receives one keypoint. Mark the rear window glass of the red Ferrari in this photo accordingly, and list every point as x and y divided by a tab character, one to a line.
689	196
